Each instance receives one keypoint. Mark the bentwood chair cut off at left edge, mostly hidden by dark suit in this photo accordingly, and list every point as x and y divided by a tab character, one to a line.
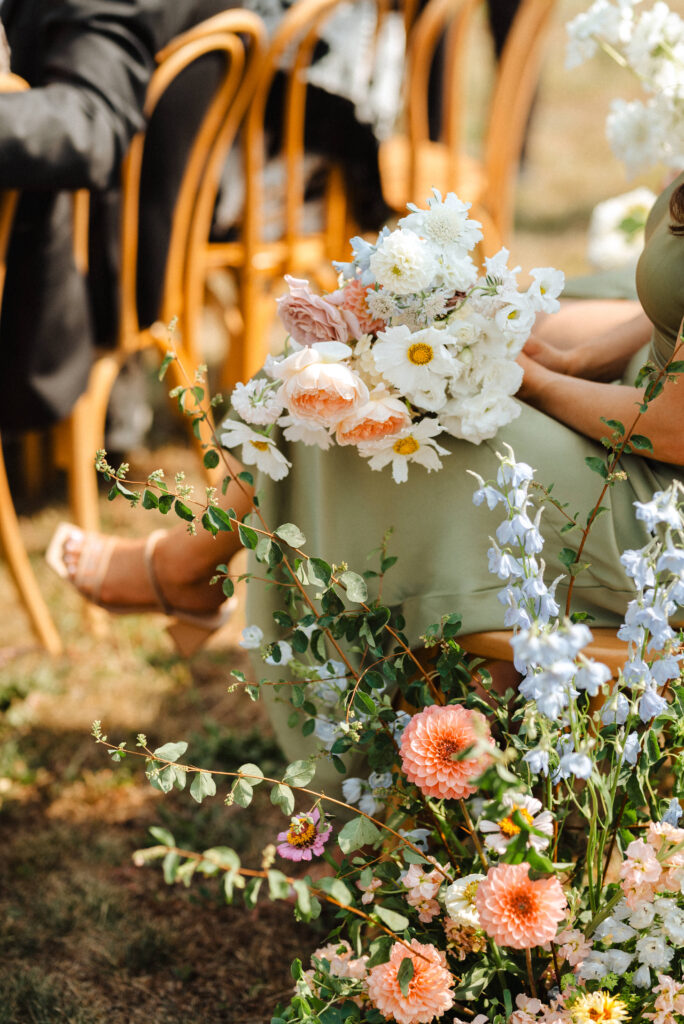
11	537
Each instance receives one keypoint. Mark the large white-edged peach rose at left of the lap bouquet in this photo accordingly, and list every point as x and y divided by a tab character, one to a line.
319	391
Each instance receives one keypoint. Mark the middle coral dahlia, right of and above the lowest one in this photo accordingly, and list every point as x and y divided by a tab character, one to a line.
517	912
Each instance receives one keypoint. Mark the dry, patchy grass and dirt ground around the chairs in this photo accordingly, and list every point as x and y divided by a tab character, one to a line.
85	937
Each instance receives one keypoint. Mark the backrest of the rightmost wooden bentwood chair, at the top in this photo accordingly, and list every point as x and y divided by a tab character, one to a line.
452	24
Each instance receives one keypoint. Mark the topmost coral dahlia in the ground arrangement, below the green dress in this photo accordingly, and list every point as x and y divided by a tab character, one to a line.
429	746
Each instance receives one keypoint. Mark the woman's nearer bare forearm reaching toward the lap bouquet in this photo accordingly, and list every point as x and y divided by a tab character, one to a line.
583	404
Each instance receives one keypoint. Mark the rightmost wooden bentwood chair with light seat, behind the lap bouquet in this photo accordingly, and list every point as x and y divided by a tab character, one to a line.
412	163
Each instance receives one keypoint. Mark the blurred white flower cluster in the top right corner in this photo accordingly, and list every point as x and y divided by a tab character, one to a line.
651	45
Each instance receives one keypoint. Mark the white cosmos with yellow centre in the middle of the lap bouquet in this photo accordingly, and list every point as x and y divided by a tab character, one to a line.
411	361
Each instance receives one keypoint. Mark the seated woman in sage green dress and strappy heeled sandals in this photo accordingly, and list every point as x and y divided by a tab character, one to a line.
580	366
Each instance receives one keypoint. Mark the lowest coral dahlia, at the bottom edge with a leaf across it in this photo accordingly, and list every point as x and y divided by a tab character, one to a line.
430	990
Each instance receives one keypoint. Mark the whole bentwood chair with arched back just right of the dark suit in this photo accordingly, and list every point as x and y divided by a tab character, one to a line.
237	38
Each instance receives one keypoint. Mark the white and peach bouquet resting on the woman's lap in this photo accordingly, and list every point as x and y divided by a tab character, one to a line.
412	346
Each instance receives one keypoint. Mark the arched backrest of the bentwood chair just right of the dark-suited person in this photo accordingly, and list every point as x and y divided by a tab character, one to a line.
195	103
